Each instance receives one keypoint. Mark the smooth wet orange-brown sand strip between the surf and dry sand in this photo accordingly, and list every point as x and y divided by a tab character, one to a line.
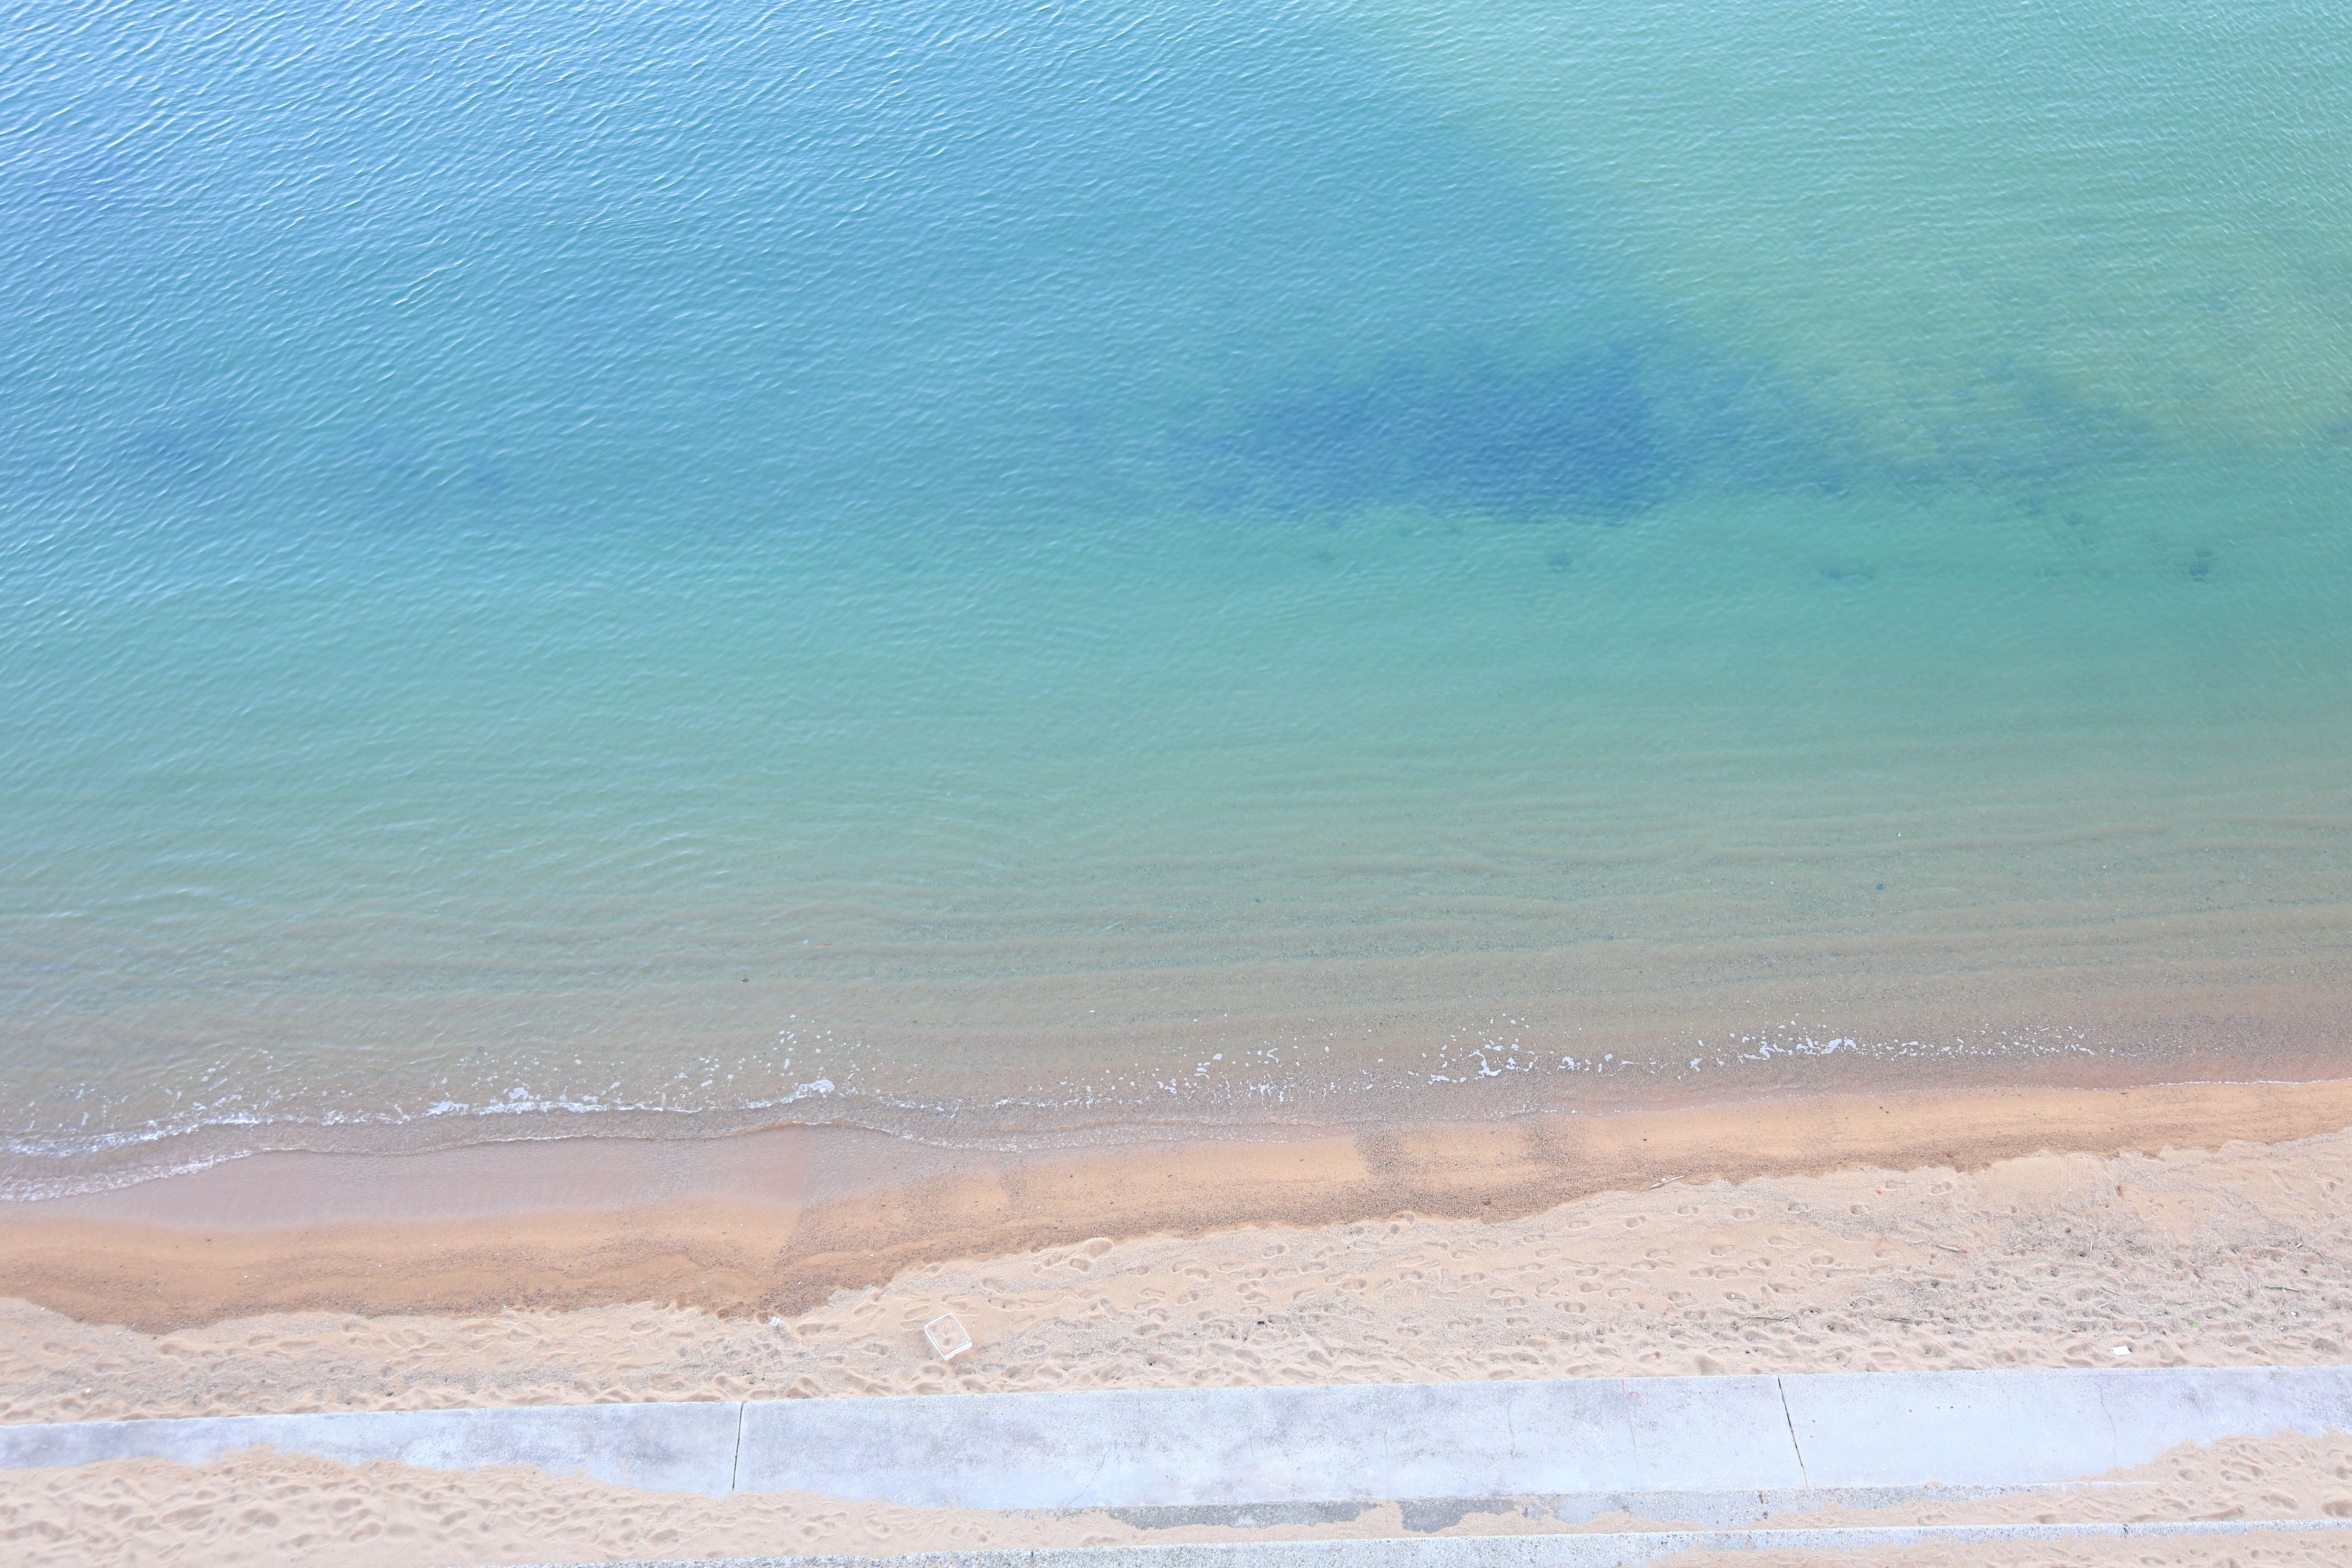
777	1224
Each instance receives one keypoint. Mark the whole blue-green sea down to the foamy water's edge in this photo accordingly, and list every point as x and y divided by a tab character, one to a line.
1022	572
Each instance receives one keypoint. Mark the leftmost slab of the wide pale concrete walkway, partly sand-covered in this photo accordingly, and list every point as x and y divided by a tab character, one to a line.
660	1447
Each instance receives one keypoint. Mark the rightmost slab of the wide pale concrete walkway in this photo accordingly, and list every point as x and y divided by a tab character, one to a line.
2043	1426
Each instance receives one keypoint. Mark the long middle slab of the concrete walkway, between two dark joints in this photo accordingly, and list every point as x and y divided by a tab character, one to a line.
1297	1445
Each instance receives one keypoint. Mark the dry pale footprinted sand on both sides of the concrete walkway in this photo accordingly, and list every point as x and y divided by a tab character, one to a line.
2210	1257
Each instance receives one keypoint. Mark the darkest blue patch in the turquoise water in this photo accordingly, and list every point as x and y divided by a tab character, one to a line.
1572	436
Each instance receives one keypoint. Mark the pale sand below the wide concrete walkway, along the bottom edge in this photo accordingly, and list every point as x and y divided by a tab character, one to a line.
269	1508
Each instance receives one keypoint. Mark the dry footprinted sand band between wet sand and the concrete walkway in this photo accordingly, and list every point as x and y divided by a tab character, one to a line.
2236	1257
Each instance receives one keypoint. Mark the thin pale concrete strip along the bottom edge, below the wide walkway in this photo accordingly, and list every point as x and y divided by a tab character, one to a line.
1624	1550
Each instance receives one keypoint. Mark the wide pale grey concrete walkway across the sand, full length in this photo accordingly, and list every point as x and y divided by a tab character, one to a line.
1229	1449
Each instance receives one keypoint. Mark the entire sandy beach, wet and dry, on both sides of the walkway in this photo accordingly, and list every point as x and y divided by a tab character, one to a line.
2200	1226
